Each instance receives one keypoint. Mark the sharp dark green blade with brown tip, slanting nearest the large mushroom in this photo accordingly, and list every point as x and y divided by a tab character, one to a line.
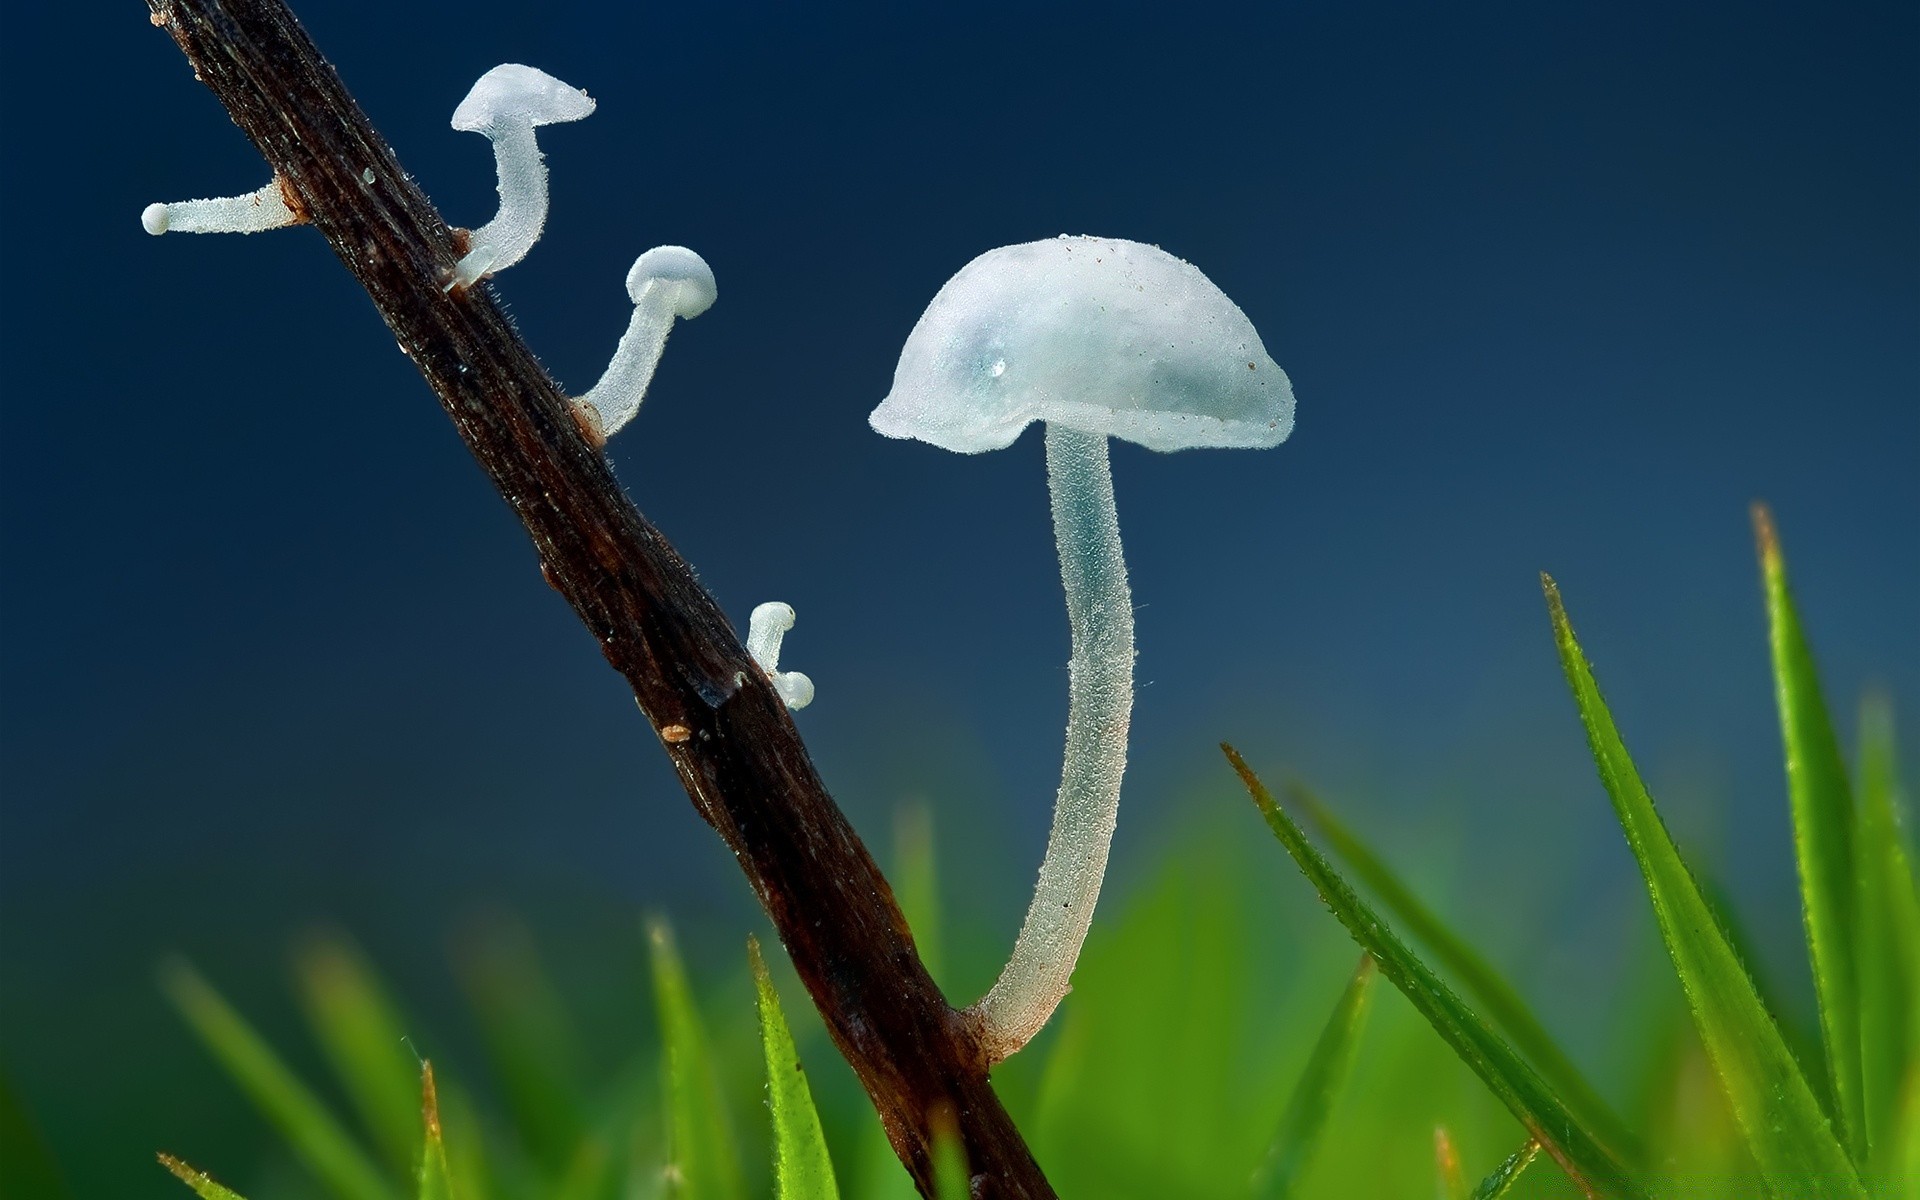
1500	1068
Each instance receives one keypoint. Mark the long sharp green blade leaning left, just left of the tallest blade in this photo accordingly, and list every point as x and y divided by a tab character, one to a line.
1785	1126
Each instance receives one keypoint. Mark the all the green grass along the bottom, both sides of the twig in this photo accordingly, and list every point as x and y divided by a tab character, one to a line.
1191	1063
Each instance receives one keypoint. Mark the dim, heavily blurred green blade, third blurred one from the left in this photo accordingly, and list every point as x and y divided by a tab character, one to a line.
529	1040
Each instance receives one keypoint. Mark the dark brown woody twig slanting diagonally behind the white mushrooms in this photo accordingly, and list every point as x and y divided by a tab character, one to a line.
729	734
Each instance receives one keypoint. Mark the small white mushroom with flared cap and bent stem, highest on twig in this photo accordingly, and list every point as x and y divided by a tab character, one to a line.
508	105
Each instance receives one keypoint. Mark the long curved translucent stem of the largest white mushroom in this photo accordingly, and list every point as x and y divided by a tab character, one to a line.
1101	706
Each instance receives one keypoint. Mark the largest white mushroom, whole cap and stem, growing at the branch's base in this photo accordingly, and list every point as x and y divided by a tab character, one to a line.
1099	339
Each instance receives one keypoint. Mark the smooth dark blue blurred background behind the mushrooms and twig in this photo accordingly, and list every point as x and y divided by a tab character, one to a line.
1560	287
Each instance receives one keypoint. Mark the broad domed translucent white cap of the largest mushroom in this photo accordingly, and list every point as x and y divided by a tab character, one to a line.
1099	335
